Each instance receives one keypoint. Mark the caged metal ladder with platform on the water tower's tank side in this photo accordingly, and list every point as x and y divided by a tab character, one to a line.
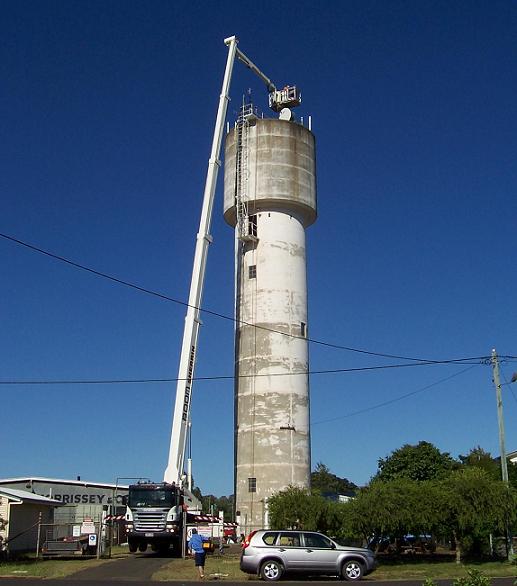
246	226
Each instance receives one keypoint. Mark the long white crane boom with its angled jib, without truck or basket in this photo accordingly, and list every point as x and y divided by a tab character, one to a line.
181	417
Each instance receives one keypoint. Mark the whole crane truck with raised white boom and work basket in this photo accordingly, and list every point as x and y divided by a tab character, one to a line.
157	513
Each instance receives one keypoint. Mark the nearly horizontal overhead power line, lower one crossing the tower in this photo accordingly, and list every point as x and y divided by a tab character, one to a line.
227	377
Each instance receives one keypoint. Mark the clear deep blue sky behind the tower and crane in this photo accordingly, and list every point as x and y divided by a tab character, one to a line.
108	111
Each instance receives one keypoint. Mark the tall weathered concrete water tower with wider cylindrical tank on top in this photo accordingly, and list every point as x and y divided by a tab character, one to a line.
270	198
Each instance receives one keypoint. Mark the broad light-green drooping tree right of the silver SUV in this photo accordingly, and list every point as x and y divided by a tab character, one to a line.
467	504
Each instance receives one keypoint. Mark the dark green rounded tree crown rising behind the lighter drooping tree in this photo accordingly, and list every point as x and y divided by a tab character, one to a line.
423	461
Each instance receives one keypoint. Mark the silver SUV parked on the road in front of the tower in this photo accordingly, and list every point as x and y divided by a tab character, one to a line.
271	553
